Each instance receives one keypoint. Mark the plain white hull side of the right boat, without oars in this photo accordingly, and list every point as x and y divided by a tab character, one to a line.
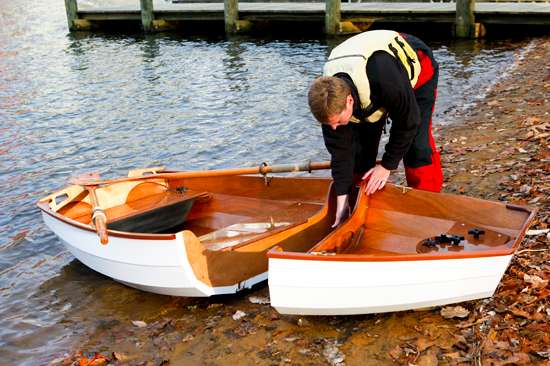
324	287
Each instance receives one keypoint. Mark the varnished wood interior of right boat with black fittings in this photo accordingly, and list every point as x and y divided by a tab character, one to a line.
399	223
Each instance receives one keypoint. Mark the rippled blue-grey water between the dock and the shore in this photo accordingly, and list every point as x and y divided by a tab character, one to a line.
108	103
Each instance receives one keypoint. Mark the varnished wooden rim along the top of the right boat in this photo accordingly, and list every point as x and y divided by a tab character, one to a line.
278	253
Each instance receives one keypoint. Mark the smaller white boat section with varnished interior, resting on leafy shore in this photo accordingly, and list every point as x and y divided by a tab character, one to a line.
401	249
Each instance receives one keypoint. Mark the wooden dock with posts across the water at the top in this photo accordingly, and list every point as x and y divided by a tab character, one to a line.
336	17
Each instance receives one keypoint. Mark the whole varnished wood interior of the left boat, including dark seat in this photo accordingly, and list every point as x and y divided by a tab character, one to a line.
223	212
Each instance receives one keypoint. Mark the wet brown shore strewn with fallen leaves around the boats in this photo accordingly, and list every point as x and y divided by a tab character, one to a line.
500	152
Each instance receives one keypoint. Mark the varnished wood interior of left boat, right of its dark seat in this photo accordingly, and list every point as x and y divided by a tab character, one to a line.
244	208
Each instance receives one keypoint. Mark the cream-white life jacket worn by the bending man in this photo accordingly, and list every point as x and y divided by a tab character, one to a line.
351	57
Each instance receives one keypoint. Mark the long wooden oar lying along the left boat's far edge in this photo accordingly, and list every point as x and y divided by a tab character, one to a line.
262	169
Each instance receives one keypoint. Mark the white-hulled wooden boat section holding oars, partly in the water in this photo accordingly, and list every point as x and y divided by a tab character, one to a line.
190	233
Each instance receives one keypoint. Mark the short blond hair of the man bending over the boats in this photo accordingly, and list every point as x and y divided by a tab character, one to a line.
327	97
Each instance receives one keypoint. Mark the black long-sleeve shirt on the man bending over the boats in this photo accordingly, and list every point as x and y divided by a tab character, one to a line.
391	89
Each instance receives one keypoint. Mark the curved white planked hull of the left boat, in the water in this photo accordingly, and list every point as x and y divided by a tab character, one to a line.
159	266
